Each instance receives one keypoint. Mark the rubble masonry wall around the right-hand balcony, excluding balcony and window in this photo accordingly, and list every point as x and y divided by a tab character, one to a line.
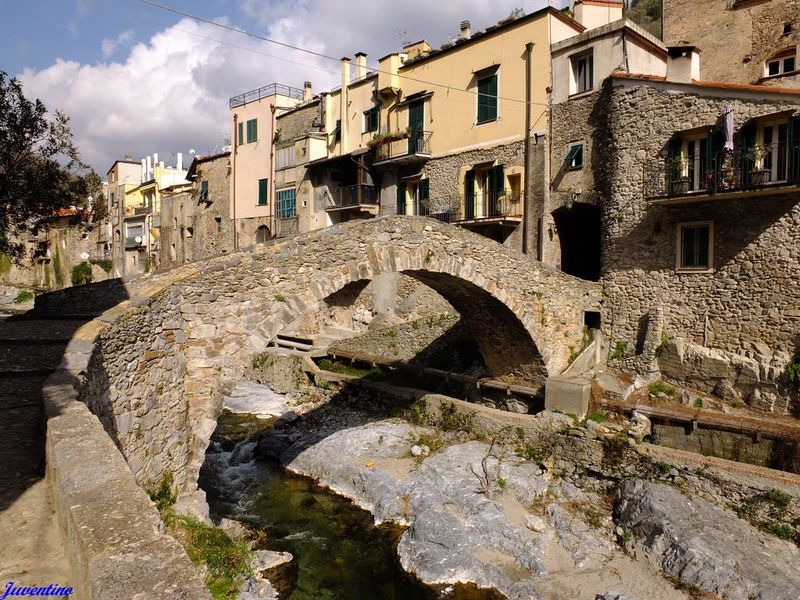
750	301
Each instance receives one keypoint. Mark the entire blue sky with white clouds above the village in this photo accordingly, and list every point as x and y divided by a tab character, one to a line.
137	79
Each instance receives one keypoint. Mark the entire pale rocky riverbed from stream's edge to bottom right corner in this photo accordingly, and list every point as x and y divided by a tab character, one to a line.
486	511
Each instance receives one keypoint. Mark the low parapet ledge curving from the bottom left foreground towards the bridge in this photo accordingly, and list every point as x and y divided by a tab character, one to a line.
113	535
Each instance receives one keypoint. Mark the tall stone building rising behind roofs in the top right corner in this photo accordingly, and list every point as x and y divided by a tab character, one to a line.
764	31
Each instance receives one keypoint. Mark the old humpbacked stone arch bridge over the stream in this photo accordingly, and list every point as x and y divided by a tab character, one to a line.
163	359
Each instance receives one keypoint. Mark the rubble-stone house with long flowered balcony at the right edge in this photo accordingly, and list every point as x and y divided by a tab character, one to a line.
742	306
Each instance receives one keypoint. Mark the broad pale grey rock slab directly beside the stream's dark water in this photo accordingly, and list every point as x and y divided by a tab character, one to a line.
459	532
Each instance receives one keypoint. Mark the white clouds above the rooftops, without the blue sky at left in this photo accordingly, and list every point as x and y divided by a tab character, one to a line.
171	93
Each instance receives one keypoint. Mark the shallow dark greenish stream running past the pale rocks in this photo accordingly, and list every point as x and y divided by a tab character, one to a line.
338	552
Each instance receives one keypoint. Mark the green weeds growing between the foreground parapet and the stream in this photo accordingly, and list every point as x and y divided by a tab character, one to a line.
227	561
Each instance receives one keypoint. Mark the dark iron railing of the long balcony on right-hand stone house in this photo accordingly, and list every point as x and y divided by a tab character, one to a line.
740	169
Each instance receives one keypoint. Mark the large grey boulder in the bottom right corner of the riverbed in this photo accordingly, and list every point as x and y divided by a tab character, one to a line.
706	546
